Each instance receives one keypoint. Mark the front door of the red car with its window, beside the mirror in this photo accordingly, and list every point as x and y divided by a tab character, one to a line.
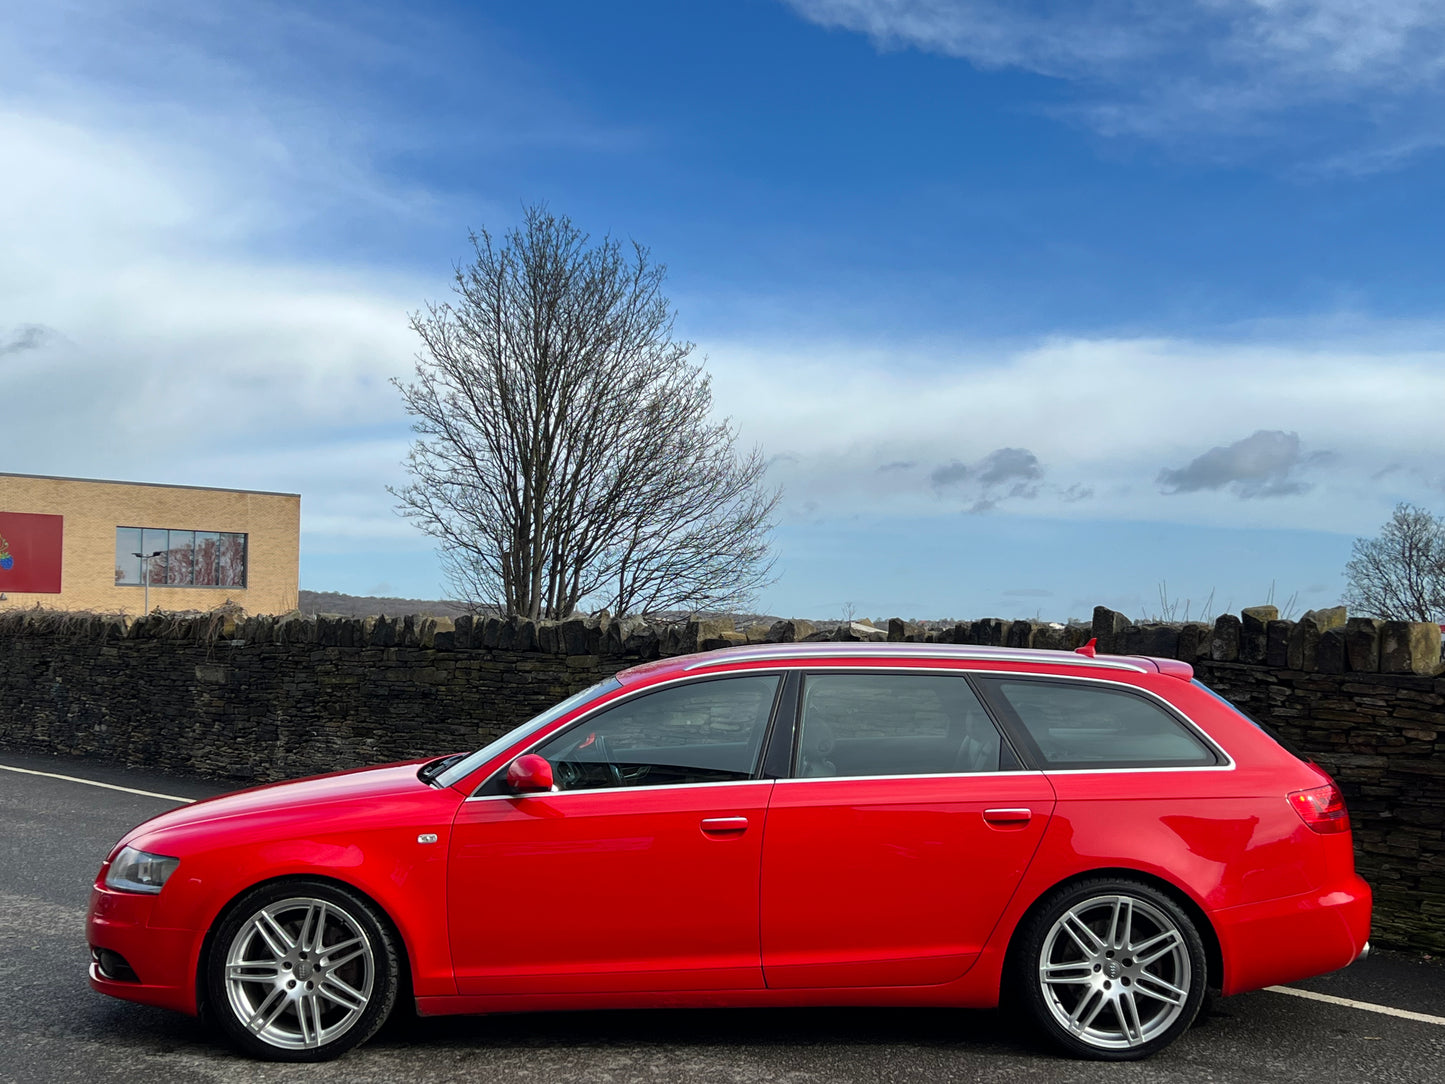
639	872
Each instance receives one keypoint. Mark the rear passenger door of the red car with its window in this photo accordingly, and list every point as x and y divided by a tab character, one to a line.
905	830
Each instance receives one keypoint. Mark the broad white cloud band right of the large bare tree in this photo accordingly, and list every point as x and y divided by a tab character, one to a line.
1099	417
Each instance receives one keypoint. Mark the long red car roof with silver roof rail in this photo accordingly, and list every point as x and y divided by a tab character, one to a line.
845	651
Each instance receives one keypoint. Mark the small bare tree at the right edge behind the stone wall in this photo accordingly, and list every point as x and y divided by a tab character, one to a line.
1401	575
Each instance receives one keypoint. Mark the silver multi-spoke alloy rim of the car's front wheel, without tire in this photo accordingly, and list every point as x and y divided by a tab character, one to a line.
300	973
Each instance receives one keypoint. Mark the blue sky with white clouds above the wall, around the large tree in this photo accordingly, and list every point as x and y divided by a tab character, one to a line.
1032	306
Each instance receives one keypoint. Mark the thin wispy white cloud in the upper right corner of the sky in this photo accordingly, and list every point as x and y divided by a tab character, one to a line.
1228	69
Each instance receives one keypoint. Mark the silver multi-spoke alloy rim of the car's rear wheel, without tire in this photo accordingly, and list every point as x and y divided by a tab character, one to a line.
1115	972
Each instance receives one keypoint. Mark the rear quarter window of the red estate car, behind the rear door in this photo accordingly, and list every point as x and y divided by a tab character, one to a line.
1077	725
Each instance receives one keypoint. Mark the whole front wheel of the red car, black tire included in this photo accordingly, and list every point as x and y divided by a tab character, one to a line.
301	971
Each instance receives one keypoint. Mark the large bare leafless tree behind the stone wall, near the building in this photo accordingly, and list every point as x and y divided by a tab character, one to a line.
566	452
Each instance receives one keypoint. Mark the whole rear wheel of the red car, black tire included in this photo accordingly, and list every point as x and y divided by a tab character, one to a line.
1110	971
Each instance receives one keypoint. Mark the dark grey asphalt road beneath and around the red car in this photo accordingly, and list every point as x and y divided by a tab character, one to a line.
56	1028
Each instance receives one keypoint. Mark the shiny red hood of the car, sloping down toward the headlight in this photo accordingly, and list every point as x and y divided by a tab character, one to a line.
362	784
